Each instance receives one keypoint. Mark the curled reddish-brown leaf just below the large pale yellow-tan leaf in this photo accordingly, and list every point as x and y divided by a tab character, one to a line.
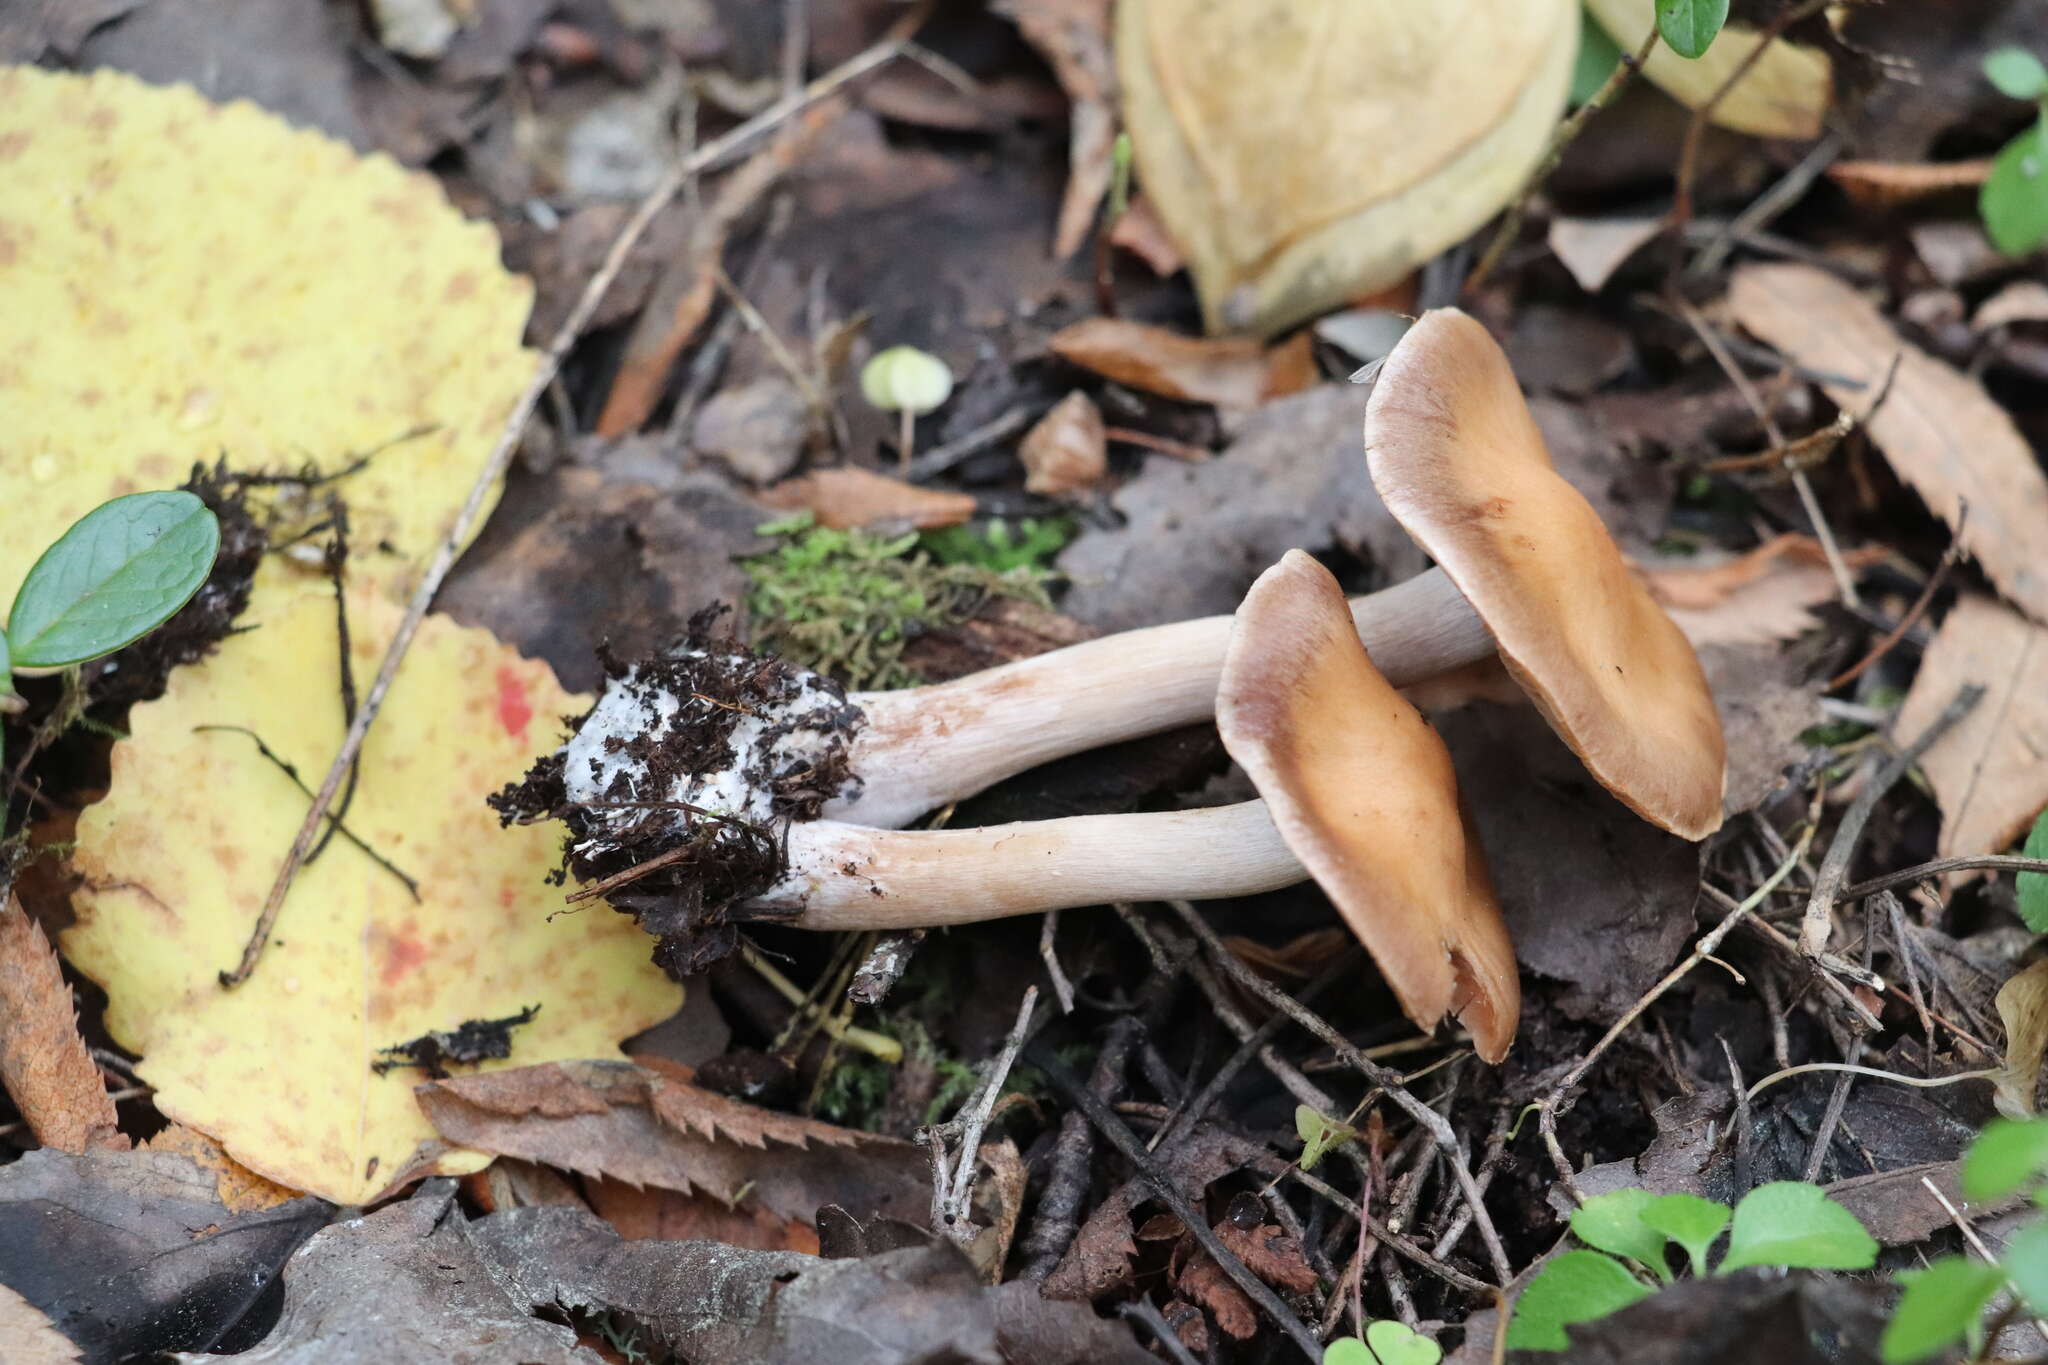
1228	373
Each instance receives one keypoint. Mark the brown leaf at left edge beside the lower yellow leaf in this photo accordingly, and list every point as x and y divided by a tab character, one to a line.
44	1061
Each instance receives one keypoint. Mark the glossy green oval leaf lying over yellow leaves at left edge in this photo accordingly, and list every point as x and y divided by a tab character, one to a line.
124	570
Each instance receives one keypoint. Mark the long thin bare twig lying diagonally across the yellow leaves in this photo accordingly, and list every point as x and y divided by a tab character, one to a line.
501	457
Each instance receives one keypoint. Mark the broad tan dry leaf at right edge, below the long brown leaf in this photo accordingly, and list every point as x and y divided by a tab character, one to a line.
1992	770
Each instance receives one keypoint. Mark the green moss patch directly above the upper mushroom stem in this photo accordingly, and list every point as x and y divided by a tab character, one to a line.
847	603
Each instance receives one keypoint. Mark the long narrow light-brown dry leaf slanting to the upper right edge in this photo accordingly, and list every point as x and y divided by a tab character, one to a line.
1938	427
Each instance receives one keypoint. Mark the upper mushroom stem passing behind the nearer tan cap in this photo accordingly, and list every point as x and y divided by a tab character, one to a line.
931	746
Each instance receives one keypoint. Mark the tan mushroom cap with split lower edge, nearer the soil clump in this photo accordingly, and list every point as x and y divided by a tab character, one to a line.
1361	789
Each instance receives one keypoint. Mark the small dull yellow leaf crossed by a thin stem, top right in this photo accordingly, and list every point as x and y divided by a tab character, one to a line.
1785	95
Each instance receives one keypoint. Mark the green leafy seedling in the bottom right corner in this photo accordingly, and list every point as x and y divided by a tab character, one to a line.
1945	1305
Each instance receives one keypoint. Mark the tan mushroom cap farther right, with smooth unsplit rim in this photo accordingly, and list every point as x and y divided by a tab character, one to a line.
1457	457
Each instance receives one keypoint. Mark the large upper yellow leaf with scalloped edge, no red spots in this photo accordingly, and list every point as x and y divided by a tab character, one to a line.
189	281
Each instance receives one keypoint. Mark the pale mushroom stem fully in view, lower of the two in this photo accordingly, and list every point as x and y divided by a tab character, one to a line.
853	877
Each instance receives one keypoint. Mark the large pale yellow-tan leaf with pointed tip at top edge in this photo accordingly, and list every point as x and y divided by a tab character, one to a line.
1426	120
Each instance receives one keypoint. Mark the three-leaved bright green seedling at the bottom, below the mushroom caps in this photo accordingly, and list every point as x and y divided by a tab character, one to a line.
1633	1233
